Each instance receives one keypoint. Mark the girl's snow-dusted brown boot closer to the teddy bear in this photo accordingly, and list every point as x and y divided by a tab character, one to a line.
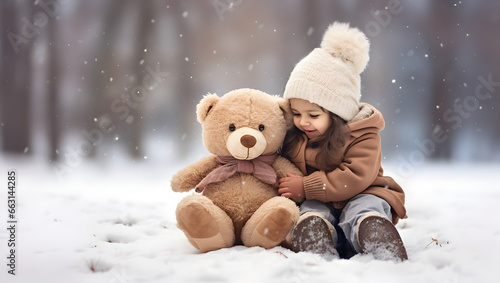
313	233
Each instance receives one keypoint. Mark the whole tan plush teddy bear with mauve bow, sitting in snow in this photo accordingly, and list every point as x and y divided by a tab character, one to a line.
237	200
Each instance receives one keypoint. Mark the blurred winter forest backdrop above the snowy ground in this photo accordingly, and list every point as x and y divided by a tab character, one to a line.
98	80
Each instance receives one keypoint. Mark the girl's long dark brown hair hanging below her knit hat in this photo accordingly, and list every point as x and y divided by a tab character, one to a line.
332	142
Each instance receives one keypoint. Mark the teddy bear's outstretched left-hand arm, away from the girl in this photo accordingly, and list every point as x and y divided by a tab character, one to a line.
187	178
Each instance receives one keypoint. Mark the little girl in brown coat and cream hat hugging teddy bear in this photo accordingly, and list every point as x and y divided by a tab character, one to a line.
350	206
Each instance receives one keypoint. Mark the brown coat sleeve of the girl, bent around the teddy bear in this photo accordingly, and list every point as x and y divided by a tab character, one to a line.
358	170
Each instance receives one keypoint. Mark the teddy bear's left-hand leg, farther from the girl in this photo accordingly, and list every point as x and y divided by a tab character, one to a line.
206	226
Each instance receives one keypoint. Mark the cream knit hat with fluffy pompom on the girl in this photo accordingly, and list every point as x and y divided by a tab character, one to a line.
329	76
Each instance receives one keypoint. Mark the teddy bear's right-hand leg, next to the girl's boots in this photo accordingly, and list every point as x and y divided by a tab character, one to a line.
270	224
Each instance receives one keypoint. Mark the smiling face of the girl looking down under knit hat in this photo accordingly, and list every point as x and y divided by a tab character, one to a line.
309	117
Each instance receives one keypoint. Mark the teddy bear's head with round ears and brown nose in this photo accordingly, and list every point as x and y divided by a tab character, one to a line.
243	123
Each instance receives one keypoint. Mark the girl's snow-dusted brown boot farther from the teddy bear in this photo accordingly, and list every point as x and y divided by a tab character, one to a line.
378	236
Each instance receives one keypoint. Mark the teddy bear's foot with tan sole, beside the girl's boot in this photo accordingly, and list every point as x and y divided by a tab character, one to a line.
270	230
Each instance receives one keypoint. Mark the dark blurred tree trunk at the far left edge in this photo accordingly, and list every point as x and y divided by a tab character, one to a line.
15	75
